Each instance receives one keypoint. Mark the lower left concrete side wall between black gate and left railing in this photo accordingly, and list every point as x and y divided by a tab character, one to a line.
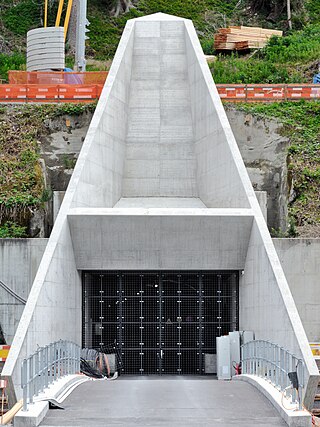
53	309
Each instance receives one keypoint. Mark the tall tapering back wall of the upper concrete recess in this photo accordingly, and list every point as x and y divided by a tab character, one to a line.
160	159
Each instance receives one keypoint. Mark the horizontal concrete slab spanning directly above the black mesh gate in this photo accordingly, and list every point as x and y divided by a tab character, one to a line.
160	239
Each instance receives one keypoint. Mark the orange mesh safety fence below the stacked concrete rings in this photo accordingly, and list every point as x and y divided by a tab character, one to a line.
57	77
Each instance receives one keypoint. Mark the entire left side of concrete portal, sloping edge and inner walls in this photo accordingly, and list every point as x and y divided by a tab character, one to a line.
53	309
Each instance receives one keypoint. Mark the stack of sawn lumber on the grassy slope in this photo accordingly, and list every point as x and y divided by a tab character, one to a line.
243	38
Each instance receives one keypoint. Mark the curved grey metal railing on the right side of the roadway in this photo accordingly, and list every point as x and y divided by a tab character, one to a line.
274	363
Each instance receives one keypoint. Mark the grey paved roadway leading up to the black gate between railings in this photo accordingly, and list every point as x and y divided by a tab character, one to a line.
165	401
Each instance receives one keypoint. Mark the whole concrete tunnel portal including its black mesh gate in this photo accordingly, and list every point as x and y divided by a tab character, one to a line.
157	223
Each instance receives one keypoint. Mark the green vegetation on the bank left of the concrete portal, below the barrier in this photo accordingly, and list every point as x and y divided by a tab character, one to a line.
22	189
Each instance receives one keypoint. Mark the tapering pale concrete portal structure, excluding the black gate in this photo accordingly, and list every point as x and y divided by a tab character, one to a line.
160	185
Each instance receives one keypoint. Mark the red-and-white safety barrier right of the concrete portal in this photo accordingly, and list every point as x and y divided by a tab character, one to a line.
265	93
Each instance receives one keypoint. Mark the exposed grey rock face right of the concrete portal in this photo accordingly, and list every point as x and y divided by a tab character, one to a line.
264	152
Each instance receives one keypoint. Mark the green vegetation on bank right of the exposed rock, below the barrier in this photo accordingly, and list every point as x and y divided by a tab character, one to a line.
302	127
